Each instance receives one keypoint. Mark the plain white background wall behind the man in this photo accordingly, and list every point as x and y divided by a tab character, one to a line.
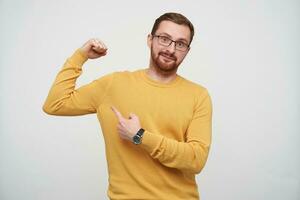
246	52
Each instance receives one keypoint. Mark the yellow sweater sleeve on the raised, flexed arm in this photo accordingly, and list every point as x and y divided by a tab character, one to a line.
64	99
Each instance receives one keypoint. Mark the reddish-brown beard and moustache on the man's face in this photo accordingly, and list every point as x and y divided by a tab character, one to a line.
164	62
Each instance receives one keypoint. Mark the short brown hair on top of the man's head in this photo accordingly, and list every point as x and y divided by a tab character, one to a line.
176	18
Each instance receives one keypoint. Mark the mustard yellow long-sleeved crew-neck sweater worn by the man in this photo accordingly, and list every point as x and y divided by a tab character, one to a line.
176	117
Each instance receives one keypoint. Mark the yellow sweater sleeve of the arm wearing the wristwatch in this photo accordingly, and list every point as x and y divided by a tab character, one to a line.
190	155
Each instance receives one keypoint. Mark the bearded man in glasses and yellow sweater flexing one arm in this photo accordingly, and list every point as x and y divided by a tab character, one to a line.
156	124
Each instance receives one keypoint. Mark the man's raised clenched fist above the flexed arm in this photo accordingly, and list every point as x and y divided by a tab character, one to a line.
94	48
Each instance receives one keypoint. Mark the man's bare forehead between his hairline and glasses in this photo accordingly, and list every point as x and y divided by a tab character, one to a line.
176	31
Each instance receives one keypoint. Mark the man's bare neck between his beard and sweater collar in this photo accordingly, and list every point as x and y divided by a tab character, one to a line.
160	76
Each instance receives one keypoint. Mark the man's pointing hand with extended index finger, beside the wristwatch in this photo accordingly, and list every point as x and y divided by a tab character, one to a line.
127	128
